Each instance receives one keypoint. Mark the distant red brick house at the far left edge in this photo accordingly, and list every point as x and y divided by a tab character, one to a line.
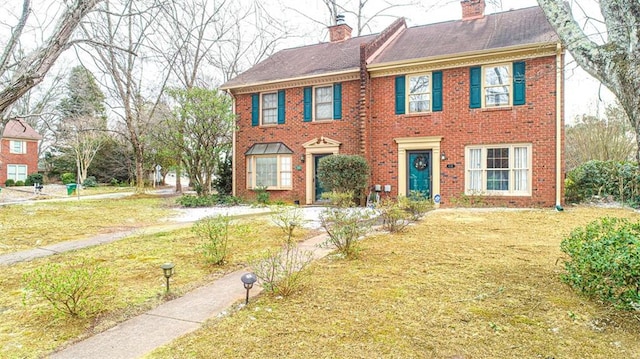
18	151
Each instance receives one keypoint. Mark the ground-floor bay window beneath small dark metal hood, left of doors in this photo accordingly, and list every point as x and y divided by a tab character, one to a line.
271	171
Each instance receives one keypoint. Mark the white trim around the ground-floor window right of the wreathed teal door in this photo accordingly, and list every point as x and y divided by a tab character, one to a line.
483	165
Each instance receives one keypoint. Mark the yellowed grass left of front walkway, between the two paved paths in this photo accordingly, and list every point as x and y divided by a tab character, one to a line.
136	283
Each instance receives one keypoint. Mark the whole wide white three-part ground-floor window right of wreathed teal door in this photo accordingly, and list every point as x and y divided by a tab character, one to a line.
498	169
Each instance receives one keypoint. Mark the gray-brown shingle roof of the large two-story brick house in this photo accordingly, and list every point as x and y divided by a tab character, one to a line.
526	26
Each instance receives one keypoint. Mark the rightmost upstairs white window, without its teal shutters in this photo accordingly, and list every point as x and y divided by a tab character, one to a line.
489	85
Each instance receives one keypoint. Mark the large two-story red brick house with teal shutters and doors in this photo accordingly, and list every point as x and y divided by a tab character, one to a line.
461	108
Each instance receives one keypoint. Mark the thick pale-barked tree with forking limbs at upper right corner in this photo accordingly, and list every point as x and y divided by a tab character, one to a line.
613	57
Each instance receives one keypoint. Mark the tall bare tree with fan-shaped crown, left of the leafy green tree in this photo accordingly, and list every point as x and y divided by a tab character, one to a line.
124	57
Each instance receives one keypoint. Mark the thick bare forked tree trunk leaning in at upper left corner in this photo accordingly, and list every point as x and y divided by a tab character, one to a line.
20	71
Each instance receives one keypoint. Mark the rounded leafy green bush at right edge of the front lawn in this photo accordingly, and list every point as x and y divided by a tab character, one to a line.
605	261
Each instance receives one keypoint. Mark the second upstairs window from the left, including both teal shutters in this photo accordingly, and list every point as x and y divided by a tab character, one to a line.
322	103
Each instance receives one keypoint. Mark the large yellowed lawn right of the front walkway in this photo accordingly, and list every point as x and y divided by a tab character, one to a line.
461	284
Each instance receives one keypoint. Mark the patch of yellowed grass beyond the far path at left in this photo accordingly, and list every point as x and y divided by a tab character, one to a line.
25	226
